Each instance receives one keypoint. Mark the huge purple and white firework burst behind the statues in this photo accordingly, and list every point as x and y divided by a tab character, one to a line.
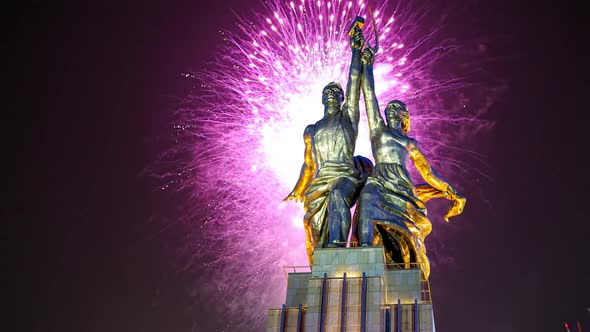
238	145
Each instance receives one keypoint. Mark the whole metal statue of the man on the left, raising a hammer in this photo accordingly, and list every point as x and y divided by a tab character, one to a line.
328	183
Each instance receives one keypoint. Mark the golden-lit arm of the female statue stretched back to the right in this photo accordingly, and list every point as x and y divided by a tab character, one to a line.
430	176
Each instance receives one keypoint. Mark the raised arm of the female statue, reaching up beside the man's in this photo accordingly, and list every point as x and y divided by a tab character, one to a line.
376	124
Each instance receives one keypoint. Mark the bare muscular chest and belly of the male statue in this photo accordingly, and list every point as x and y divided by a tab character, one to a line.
334	139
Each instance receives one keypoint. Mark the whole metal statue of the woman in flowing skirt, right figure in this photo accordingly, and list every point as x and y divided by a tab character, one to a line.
392	213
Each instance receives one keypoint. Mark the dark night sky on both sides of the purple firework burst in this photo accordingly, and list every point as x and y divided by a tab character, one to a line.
92	82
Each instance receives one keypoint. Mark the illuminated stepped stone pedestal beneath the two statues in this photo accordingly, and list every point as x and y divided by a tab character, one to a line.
351	289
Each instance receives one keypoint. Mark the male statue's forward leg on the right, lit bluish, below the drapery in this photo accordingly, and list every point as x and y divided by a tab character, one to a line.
340	200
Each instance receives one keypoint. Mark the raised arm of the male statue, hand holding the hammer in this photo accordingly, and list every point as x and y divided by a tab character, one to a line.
353	93
